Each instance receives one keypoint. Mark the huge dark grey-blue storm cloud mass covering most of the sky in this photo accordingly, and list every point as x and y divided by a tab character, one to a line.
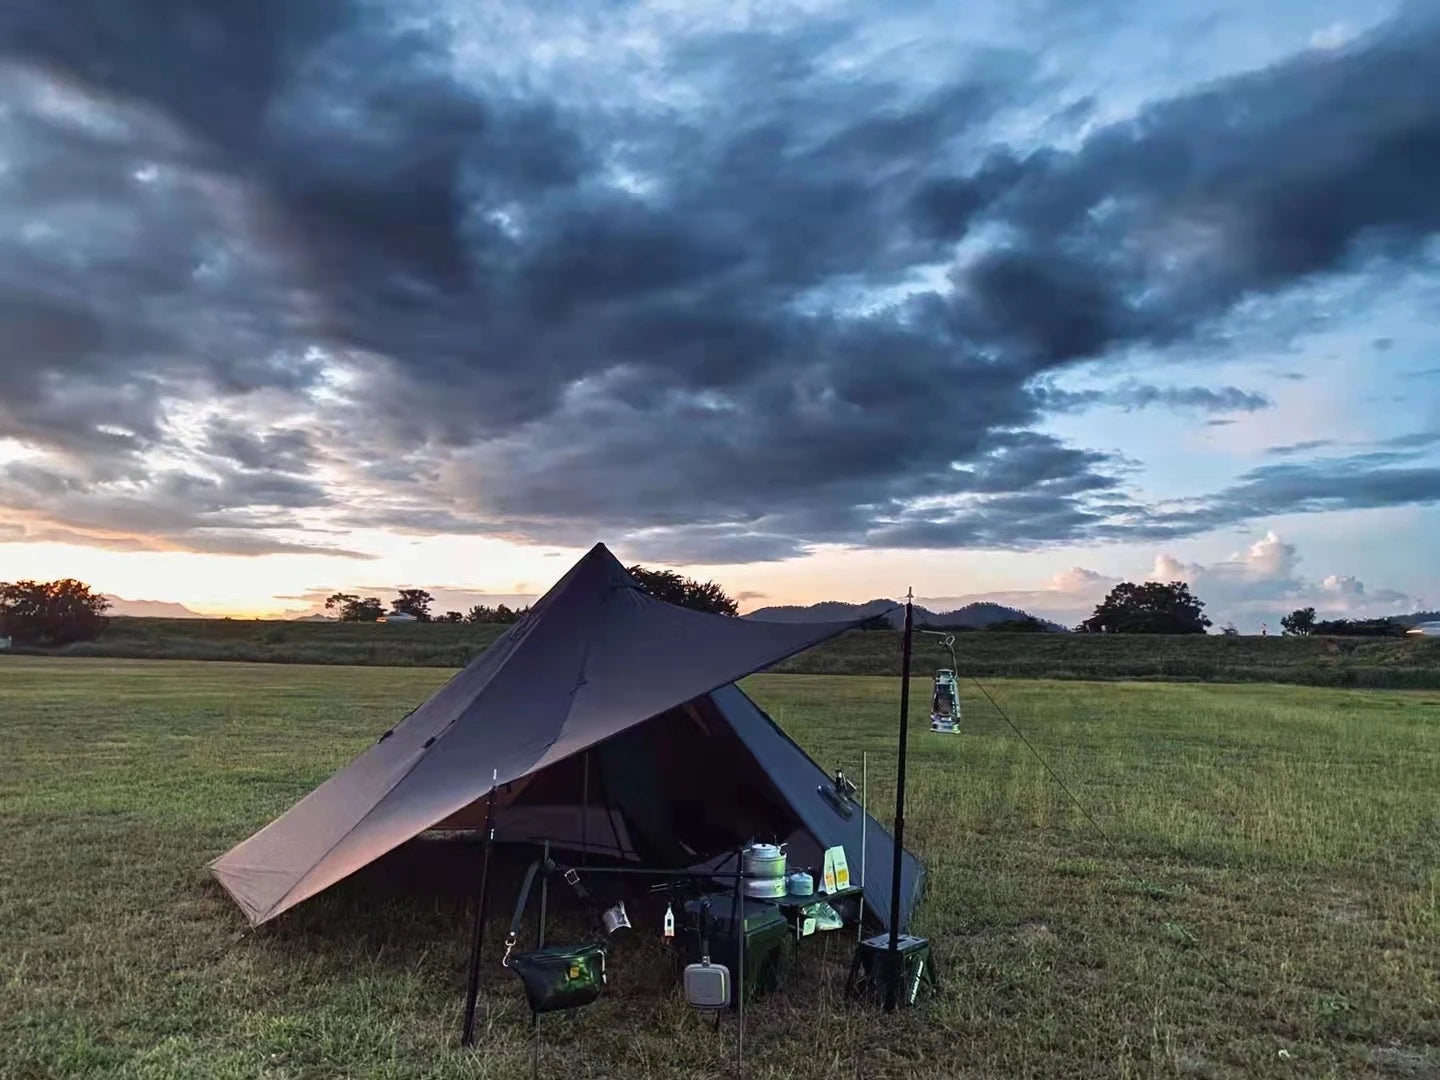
558	322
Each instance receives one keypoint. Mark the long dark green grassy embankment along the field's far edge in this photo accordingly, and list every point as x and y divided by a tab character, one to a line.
1379	663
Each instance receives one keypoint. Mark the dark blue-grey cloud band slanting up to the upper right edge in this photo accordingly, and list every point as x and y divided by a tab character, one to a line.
1251	186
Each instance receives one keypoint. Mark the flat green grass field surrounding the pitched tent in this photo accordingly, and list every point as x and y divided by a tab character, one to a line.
1268	904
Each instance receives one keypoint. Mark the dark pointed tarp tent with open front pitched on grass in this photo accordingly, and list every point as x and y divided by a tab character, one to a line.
610	724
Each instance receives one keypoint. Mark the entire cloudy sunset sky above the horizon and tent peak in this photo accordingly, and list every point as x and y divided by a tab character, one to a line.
822	300
